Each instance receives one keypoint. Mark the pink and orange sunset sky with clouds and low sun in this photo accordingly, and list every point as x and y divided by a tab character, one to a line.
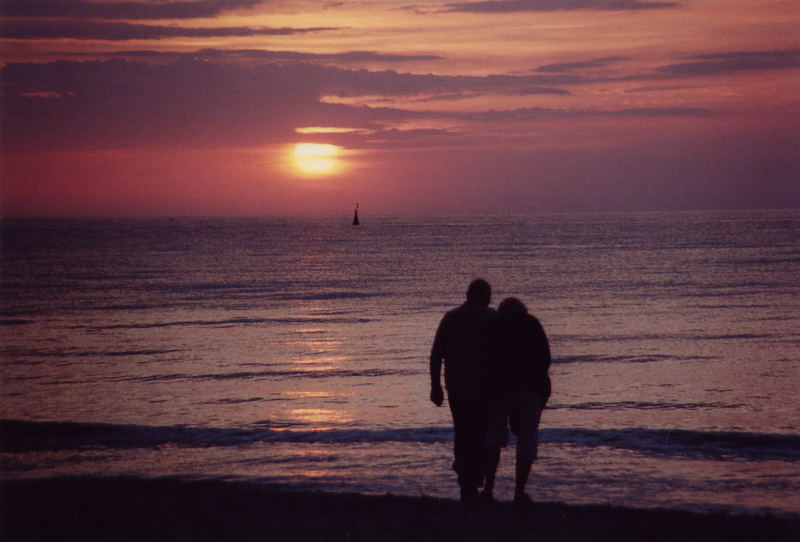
143	108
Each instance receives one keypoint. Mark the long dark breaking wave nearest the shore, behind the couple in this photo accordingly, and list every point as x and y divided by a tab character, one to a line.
24	436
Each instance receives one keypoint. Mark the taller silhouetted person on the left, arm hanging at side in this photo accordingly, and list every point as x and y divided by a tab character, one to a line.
460	343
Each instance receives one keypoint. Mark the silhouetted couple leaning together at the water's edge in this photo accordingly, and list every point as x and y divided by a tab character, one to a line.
495	371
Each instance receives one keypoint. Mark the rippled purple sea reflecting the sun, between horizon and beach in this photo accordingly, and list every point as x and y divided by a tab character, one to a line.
294	351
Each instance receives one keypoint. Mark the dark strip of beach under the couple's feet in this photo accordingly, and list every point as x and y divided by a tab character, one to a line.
118	509
